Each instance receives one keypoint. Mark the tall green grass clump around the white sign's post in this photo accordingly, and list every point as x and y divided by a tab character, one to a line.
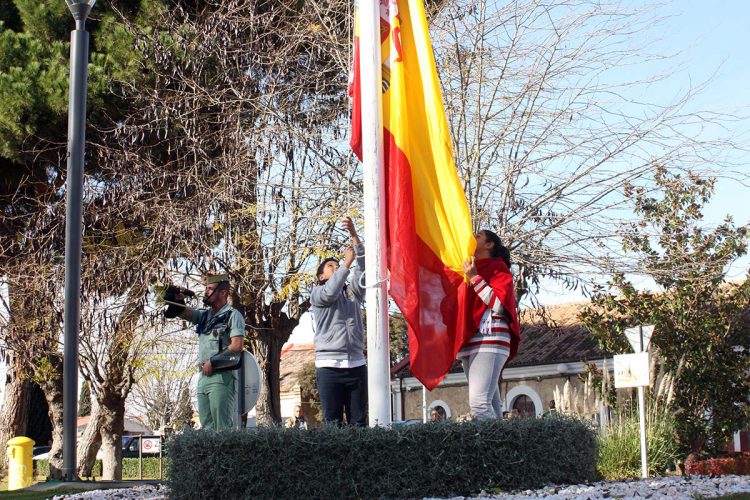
620	447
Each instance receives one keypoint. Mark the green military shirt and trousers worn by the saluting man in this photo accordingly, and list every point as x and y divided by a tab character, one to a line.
216	392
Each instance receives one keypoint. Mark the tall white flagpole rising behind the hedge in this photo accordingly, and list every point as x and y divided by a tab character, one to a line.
378	355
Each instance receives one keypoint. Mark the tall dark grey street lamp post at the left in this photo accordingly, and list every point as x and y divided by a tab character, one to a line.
79	50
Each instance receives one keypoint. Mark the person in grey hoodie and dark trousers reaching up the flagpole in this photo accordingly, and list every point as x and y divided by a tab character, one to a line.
339	336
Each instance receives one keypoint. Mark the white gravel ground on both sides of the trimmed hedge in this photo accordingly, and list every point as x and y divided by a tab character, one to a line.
662	488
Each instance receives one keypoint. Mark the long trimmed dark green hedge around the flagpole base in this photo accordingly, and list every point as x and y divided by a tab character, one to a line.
437	459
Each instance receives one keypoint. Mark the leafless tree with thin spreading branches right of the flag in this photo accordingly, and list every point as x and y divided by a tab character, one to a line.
548	126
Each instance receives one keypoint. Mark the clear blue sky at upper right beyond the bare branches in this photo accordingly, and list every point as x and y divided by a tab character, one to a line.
711	41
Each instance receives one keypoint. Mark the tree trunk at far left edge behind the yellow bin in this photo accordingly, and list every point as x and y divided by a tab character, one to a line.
15	411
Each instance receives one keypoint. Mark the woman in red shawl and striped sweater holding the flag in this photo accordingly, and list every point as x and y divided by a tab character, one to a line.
495	333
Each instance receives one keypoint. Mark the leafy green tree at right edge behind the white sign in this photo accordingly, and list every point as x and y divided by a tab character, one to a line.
702	322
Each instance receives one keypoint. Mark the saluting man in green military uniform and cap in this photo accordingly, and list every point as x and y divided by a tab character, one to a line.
221	331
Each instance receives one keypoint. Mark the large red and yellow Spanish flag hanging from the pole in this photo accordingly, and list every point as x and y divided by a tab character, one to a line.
428	225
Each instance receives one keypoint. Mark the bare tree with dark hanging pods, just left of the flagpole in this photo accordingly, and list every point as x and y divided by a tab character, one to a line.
242	137
